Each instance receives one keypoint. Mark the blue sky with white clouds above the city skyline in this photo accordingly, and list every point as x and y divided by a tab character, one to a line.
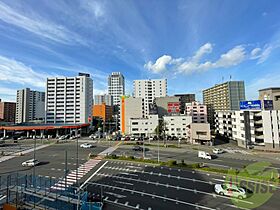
194	44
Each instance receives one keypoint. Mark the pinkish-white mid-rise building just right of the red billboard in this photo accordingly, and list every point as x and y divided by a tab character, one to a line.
197	111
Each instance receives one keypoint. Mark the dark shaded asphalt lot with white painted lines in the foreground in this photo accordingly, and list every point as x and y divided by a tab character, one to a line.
143	186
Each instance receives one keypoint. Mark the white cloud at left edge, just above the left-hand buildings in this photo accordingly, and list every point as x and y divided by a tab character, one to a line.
13	71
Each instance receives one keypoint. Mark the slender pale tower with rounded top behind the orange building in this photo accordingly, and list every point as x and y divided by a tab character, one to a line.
116	86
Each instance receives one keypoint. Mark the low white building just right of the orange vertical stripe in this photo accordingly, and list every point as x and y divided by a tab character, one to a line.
145	127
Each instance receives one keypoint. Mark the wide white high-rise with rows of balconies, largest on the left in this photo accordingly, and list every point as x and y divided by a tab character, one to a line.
69	99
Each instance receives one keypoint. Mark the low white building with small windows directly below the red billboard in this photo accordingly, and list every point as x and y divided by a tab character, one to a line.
176	126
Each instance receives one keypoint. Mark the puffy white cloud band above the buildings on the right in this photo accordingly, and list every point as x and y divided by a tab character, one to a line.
233	57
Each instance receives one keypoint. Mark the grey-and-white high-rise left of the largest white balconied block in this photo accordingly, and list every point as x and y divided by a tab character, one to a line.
30	105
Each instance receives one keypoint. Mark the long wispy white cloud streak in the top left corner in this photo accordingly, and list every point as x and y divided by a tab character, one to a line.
39	26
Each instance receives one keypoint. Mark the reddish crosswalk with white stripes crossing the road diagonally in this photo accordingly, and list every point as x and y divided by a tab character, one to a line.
76	175
